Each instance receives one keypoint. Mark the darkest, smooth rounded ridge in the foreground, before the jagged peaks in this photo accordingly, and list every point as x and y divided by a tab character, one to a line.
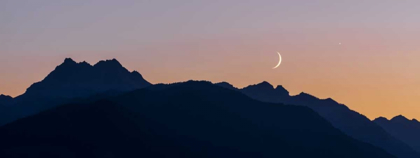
191	119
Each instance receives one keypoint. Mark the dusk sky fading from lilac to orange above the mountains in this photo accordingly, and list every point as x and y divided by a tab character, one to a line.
374	71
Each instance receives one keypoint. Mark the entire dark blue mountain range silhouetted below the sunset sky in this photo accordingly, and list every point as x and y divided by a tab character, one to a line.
104	110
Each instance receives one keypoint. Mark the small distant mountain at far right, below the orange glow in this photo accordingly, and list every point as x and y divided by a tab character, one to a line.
402	128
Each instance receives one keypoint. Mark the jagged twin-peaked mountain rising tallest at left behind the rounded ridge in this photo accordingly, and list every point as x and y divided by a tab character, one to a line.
72	80
